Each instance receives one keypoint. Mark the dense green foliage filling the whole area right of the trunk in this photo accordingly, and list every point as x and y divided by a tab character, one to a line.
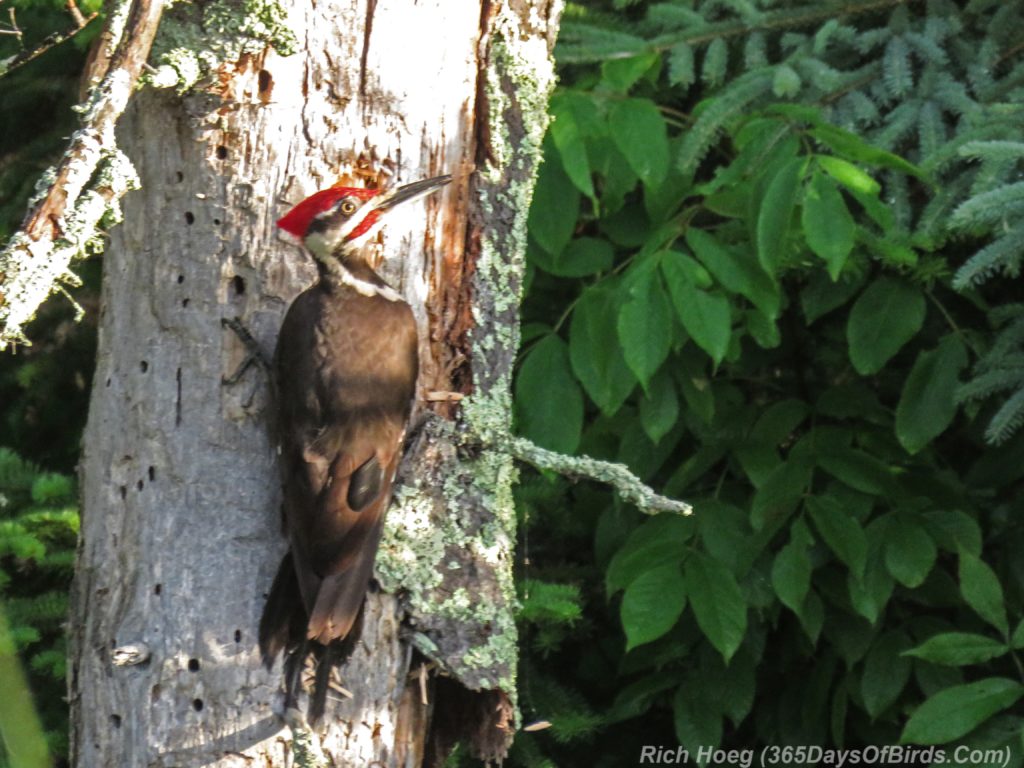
769	243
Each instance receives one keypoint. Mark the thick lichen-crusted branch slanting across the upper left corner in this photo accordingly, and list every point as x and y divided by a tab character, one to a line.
93	176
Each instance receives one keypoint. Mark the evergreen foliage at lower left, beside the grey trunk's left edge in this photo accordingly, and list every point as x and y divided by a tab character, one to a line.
38	533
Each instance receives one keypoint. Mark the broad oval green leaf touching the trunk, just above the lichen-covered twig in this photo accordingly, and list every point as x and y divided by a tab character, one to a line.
549	404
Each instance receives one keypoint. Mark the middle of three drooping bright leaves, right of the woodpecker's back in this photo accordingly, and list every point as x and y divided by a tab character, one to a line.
646	327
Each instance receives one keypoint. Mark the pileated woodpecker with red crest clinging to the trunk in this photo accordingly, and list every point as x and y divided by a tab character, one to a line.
346	371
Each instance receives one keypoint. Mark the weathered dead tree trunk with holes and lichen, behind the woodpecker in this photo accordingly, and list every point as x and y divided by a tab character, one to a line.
181	532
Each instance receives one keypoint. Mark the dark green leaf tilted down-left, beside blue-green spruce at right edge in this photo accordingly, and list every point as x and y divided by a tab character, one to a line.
927	405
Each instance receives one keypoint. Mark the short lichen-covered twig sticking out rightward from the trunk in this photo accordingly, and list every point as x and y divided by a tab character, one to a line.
618	477
